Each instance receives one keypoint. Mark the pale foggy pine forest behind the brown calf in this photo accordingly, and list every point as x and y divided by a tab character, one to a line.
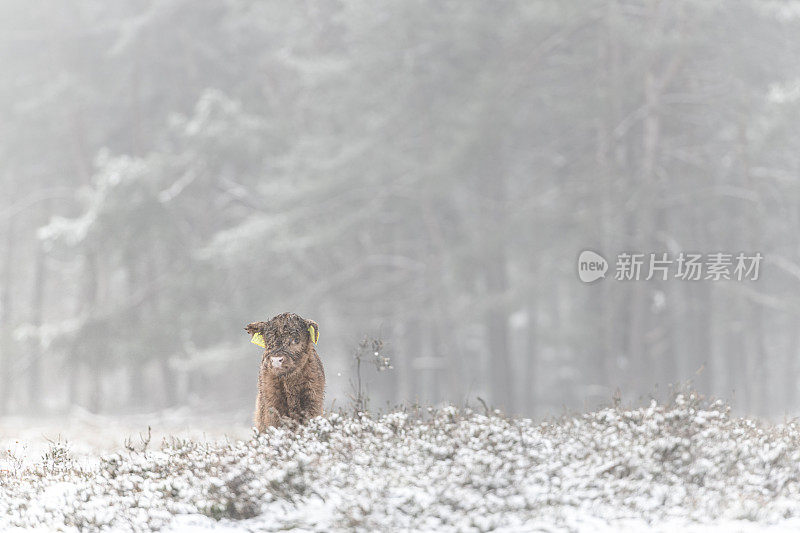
422	176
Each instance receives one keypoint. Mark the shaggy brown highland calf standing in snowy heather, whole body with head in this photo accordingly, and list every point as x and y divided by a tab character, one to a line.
291	382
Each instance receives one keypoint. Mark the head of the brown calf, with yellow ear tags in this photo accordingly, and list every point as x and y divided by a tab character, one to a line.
288	341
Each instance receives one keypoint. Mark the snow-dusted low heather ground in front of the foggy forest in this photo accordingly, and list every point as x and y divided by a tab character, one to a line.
686	466
